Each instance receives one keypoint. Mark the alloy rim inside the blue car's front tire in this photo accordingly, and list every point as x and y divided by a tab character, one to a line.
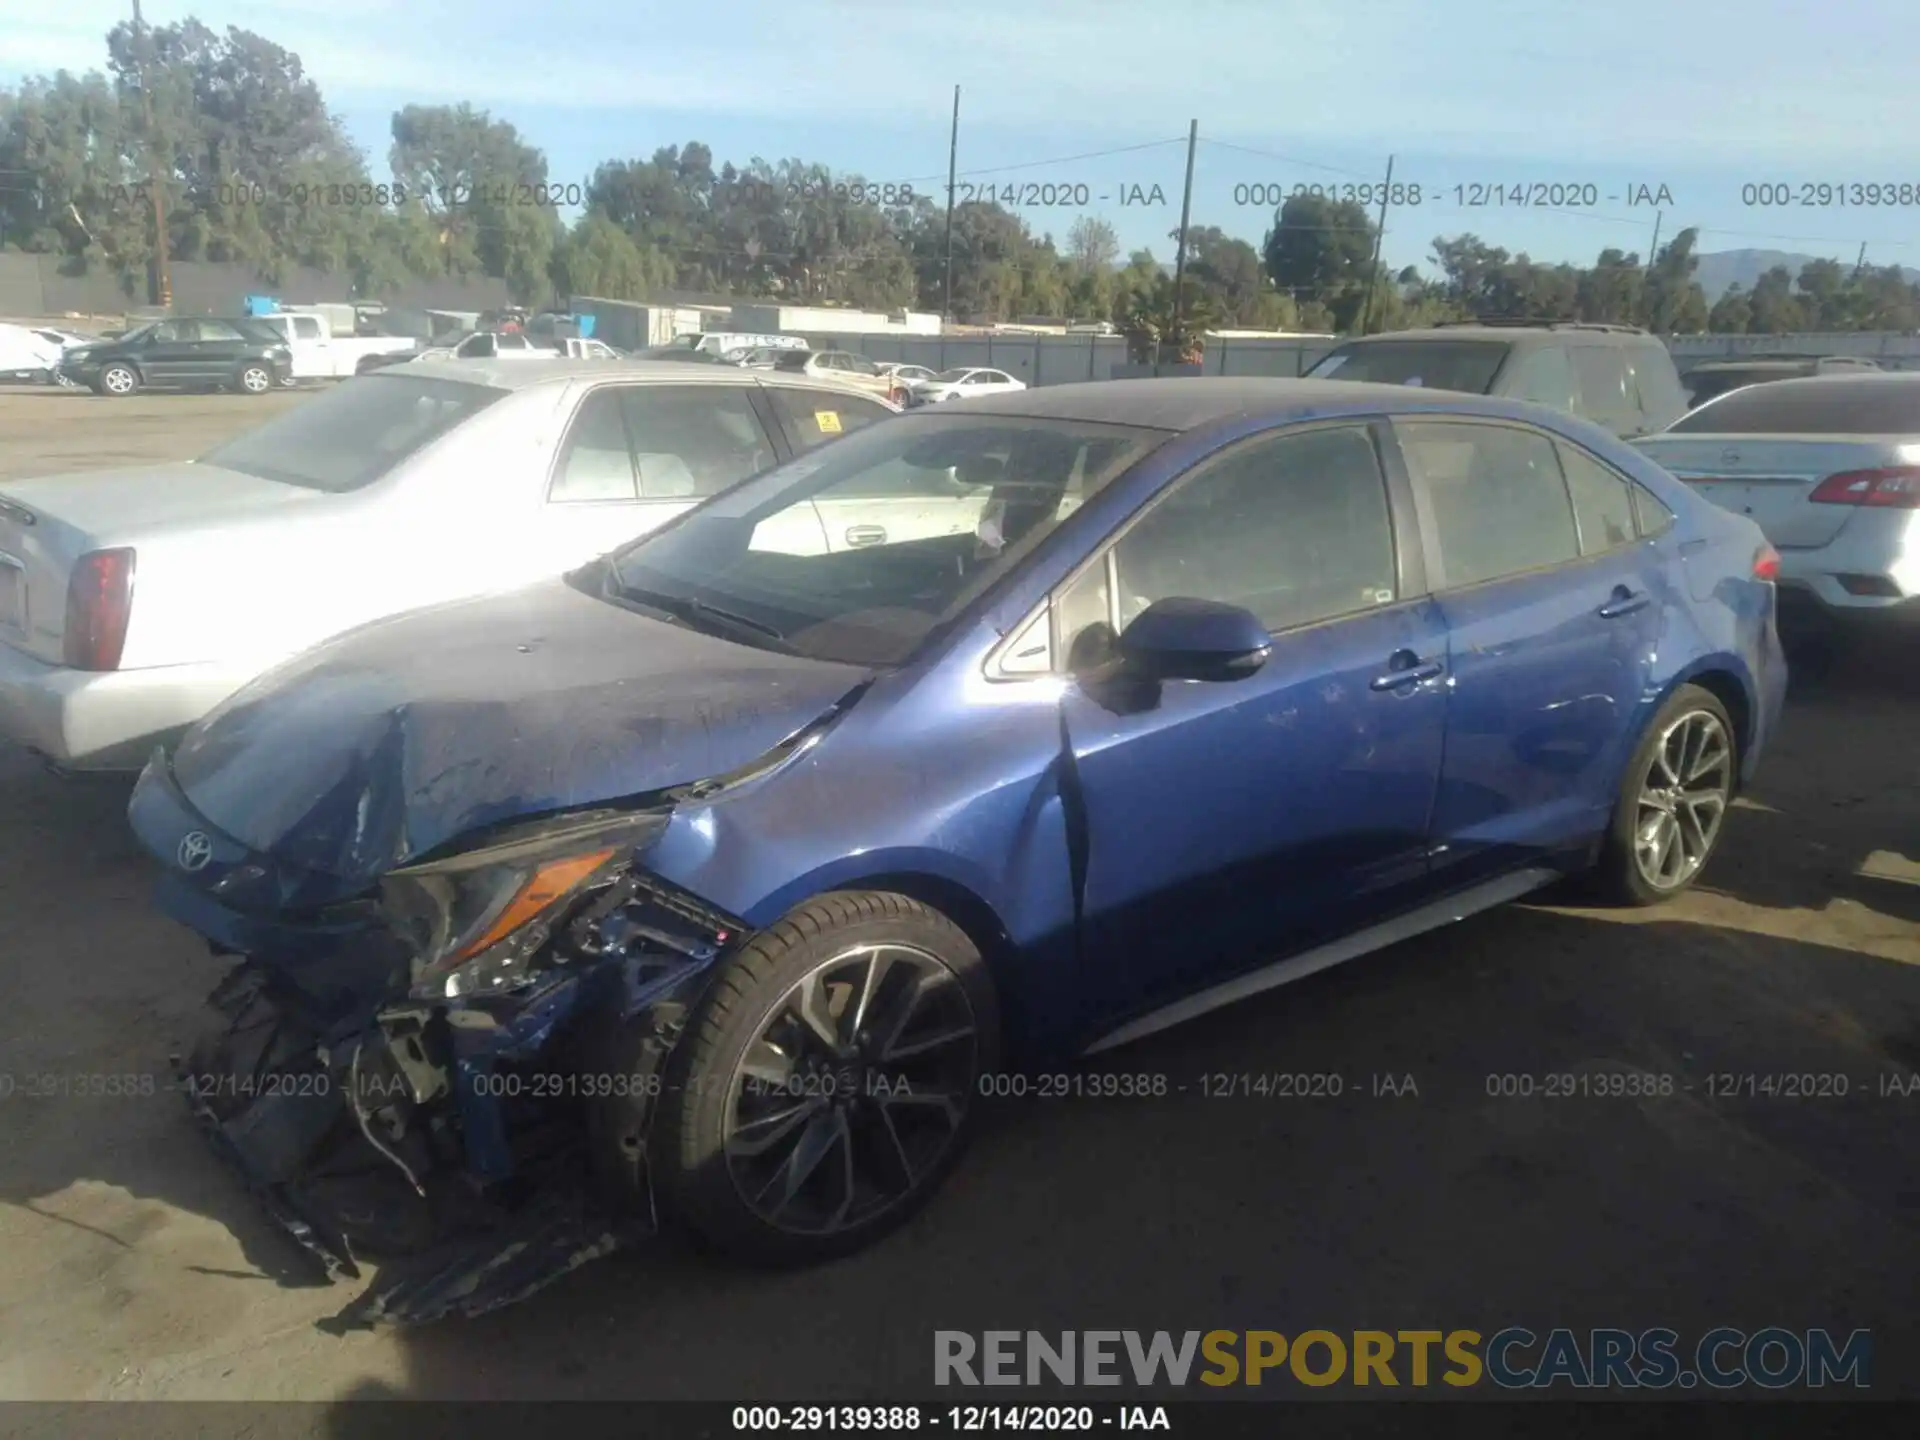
853	1090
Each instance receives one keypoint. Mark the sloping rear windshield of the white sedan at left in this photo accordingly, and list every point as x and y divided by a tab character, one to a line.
354	435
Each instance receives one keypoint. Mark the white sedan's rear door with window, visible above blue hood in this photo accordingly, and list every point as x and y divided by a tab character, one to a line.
638	456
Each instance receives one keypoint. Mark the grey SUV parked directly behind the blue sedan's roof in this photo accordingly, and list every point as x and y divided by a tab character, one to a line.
1616	375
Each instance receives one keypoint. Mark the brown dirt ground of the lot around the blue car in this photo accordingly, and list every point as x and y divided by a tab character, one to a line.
133	1268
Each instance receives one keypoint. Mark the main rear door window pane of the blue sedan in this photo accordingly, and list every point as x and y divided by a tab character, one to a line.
1499	498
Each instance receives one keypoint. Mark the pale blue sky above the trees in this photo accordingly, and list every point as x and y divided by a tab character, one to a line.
1700	97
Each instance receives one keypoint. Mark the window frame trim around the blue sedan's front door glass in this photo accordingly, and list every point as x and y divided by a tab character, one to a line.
1404	535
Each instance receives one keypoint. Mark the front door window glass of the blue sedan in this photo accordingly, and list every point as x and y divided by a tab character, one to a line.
1293	527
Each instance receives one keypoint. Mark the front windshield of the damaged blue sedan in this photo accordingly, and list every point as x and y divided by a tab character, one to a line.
865	548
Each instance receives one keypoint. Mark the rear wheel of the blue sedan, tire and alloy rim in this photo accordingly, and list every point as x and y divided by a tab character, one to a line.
1673	802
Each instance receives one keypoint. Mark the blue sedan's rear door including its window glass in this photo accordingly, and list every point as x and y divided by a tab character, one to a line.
1554	610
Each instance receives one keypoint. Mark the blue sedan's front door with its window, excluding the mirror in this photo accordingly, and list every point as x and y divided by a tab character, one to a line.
1232	823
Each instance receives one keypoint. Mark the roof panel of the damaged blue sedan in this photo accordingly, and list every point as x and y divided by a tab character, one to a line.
1191	402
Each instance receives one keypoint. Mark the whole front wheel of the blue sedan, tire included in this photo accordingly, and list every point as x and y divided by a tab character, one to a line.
827	1082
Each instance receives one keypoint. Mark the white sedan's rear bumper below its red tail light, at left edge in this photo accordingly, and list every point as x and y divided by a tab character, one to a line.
105	721
